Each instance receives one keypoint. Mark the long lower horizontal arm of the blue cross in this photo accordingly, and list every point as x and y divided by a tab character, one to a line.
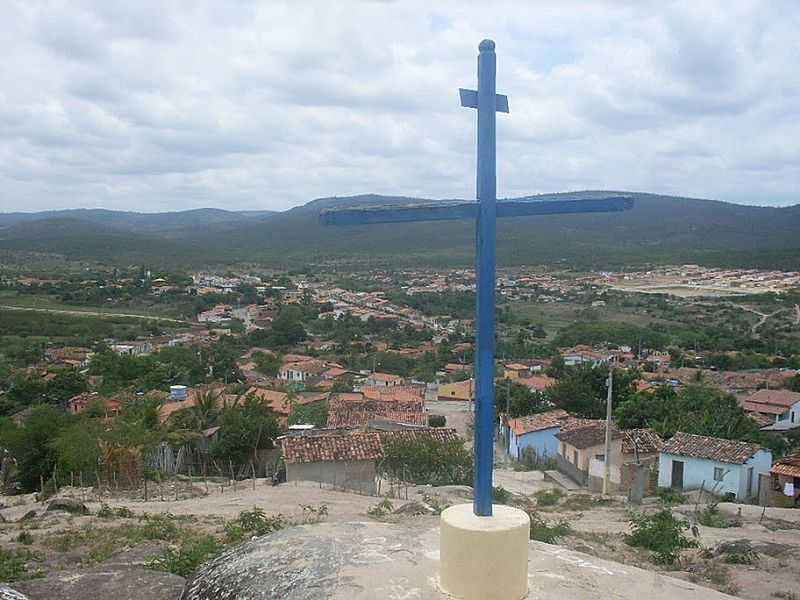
469	210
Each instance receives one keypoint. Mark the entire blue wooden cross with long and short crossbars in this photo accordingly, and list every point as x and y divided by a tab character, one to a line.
485	212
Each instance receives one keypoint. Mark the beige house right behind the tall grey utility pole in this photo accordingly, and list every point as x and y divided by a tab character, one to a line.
581	454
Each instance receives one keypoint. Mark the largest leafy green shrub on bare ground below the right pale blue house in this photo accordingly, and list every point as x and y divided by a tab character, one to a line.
661	533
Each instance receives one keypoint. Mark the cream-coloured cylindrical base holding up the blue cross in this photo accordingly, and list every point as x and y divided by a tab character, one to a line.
484	558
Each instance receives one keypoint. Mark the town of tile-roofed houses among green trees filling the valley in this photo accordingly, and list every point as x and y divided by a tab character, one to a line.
127	390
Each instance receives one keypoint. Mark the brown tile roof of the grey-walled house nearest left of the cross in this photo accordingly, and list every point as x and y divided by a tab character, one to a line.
329	448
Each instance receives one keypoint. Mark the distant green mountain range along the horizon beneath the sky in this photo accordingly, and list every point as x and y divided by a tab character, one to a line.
660	229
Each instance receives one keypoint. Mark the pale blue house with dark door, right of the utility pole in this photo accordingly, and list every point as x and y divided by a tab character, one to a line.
689	461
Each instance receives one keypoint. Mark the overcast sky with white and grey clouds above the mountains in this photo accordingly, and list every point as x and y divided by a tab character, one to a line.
160	105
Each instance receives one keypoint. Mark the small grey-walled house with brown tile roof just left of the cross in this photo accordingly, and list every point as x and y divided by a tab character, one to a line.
345	461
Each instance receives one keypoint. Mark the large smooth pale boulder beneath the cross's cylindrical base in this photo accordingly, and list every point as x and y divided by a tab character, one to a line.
370	560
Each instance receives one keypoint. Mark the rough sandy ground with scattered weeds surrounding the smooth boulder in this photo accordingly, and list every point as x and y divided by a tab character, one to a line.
118	548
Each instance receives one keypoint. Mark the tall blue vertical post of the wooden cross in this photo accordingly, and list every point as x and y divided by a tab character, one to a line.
486	234
